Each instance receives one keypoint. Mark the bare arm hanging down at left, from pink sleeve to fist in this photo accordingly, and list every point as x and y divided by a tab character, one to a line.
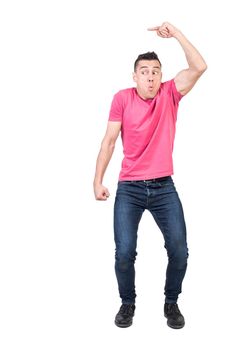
104	156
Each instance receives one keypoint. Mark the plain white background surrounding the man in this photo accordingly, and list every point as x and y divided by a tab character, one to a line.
61	62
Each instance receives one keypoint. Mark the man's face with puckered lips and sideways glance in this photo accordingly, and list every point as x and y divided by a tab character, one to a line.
148	78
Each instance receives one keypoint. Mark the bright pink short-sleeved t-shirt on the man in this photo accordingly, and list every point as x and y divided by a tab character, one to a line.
147	131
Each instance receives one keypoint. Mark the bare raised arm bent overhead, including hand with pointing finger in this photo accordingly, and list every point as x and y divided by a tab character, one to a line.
185	79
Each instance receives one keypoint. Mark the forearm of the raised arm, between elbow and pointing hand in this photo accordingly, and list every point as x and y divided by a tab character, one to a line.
194	58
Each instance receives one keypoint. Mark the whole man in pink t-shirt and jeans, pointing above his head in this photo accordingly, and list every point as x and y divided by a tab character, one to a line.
146	116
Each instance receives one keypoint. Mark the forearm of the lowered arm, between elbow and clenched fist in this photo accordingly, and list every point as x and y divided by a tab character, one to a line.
103	160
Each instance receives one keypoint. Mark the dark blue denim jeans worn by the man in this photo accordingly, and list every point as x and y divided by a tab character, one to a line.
160	197
